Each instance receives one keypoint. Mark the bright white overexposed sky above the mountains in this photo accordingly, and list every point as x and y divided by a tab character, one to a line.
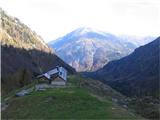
52	19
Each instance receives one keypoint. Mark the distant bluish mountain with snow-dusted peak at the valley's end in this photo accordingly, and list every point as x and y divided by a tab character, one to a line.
87	49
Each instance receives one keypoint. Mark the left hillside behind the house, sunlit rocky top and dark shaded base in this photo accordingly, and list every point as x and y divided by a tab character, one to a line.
23	54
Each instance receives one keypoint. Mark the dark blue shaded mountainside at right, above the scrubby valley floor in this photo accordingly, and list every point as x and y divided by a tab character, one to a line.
136	74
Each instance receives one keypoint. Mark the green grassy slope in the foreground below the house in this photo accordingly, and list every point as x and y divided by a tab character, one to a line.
74	101
